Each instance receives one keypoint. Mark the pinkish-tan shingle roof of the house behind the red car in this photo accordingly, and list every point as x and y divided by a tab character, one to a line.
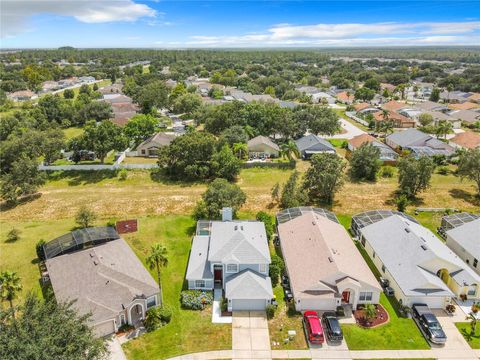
319	253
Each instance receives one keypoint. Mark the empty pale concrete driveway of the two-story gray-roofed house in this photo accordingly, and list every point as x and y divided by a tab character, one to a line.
250	337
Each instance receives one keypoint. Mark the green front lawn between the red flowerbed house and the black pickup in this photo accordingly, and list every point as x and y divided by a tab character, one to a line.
399	334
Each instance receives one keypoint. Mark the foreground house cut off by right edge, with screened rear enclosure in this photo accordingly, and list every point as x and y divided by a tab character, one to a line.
462	236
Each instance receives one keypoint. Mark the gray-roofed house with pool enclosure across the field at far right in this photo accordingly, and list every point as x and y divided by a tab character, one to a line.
419	143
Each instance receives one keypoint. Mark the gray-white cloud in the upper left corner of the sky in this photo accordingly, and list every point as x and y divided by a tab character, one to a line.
15	13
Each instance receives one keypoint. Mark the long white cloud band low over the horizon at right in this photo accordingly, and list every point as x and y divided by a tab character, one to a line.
451	33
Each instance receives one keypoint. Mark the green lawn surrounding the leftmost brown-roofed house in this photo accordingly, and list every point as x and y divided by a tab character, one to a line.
189	331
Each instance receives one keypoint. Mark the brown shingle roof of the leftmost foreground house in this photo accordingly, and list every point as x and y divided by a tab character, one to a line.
103	279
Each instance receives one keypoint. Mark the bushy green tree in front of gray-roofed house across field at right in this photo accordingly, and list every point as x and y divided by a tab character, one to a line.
414	174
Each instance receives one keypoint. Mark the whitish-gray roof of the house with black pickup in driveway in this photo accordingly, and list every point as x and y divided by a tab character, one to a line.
413	255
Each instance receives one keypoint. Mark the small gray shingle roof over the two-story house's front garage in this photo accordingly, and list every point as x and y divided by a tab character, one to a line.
248	284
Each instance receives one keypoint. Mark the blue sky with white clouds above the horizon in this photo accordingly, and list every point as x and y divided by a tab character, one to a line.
236	24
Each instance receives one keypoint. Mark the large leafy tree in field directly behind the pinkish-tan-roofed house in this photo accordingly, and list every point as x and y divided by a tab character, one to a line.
324	178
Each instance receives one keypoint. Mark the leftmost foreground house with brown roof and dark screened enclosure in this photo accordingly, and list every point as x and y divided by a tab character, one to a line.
97	269
